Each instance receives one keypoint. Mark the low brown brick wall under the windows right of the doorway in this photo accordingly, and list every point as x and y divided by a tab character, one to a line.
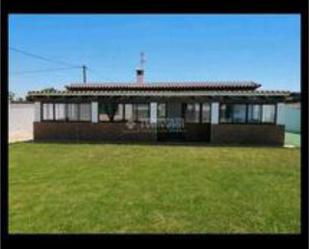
267	134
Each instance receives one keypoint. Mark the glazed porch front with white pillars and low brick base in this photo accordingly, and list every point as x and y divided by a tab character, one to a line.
217	123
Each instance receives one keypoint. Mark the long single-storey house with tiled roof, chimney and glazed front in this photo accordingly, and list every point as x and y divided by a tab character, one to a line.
214	112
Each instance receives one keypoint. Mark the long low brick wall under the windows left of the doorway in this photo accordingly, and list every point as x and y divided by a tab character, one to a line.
91	131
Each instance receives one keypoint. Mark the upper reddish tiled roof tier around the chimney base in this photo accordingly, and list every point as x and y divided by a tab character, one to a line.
204	85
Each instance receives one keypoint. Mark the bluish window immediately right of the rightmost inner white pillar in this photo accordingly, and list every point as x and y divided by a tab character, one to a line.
233	113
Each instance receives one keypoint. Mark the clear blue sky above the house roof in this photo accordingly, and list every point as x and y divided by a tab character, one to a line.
262	48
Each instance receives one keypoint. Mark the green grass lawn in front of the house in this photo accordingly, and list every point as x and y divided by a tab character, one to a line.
153	188
